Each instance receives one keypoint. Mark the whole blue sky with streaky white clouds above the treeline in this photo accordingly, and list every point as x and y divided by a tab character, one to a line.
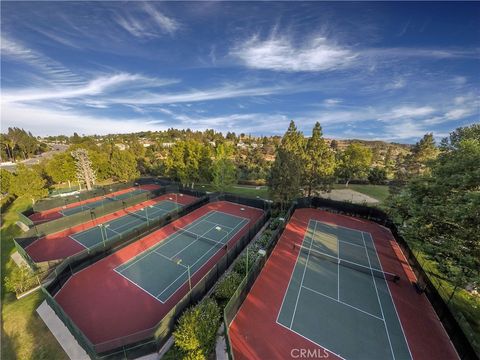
389	71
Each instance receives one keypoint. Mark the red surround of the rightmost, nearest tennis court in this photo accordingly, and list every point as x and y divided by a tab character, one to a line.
255	335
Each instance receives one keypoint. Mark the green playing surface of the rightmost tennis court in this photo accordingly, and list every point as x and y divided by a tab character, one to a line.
345	305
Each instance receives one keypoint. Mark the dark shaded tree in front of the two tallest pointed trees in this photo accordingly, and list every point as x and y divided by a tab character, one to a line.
284	180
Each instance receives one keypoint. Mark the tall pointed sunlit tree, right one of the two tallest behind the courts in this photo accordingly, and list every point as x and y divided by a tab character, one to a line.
319	162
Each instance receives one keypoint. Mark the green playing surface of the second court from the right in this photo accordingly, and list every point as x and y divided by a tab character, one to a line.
166	266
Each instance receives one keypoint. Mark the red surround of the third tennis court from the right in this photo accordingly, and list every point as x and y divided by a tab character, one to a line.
59	245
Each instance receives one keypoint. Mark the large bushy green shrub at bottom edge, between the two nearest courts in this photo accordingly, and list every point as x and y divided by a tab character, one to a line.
196	331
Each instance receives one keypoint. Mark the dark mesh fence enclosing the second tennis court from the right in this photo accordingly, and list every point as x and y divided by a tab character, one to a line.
149	340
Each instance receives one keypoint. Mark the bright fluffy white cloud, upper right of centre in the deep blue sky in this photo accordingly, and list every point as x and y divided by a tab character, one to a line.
279	53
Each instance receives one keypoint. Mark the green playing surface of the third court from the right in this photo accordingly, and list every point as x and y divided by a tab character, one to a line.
113	228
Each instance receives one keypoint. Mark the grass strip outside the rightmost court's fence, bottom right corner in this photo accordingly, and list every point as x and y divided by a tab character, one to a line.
464	306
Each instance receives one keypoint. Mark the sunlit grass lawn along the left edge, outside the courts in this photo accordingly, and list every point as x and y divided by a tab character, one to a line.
24	335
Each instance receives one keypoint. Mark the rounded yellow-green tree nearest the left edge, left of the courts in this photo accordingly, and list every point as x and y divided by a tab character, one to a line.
28	183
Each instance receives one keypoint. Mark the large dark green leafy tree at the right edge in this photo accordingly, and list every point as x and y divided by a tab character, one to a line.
441	209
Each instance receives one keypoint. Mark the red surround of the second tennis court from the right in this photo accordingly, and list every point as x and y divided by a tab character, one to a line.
105	306
